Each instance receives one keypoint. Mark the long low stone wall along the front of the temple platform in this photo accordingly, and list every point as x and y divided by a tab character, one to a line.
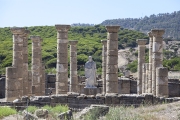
82	101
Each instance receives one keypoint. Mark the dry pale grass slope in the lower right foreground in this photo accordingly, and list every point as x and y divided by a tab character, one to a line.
169	111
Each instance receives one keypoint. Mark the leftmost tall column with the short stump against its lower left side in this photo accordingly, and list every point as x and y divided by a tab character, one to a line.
14	74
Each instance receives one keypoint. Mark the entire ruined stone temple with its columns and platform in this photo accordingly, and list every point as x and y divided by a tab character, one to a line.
152	84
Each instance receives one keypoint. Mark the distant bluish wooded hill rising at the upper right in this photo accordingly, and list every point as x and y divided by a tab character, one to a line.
168	21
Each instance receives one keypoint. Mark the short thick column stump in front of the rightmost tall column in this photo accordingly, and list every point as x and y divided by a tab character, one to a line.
162	82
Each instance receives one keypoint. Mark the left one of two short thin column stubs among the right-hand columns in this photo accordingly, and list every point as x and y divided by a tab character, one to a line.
143	78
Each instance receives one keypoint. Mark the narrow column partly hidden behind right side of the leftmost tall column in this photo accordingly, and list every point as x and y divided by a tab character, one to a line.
25	64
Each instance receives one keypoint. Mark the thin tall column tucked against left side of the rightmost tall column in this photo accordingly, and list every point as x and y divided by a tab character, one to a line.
150	63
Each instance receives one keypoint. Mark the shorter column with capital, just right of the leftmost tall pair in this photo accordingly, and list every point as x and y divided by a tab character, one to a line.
36	65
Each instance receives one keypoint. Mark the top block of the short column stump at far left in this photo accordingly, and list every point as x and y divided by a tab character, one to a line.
11	72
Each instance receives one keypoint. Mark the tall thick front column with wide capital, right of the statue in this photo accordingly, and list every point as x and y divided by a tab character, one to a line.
112	60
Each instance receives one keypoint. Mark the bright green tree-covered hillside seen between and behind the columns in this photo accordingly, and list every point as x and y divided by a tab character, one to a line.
89	44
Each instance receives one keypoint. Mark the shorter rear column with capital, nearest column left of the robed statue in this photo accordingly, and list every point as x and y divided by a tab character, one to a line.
73	66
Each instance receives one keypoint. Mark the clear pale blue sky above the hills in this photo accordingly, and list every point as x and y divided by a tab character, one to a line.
22	13
